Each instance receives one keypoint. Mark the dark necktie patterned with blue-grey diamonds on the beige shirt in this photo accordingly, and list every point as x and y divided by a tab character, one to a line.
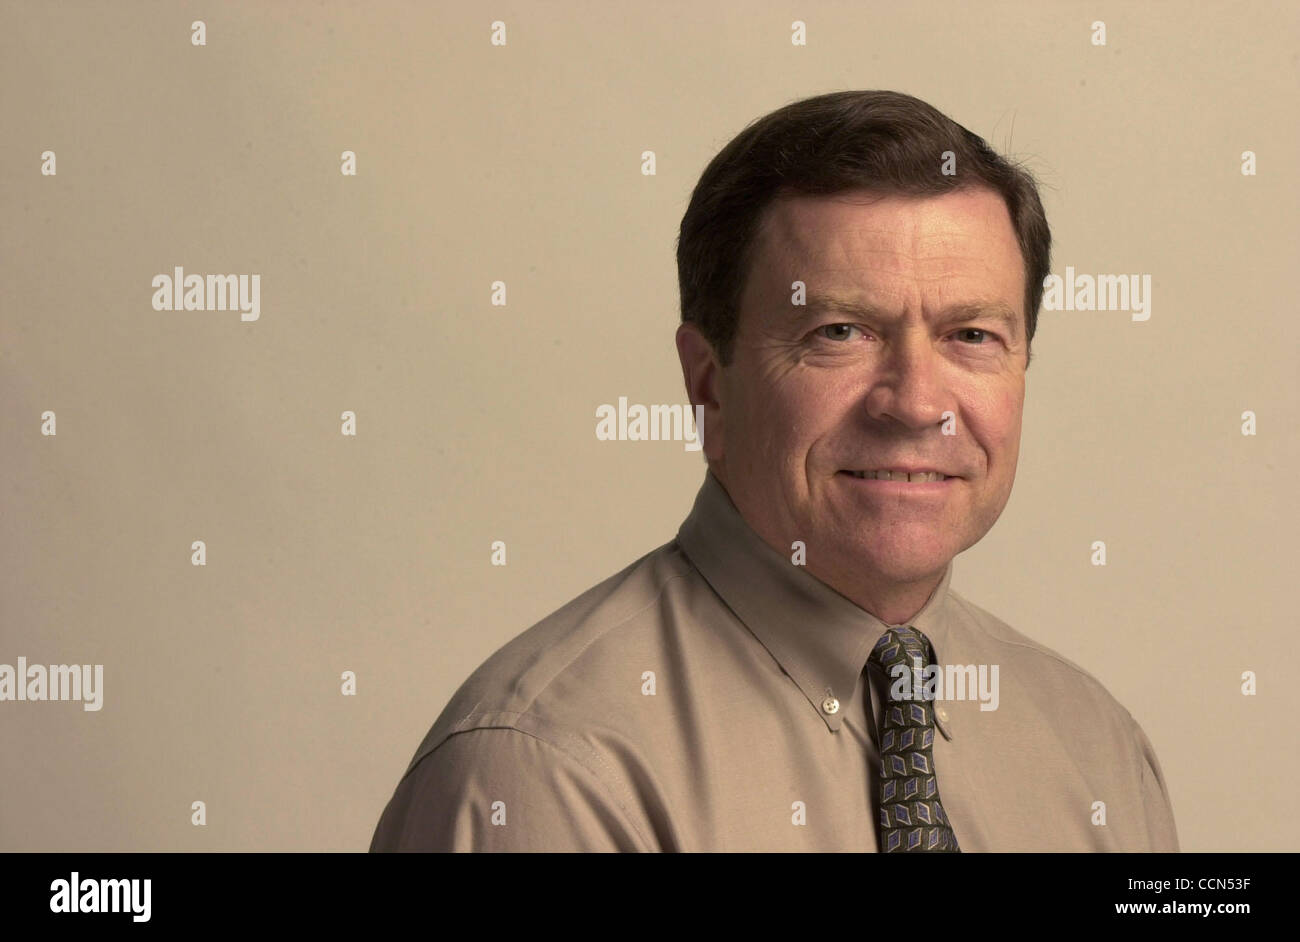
912	819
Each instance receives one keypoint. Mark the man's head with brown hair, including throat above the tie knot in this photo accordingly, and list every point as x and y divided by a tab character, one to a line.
921	294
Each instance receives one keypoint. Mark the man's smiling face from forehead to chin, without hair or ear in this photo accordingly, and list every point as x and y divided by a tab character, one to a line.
816	394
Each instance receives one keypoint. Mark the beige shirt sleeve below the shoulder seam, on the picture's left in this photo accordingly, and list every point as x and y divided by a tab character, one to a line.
500	789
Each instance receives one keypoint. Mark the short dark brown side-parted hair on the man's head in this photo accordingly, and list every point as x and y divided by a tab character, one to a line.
879	141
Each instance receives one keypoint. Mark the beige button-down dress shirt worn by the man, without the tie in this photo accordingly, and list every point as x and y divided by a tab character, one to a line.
716	697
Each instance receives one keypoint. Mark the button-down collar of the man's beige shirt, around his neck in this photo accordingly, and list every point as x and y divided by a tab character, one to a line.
820	637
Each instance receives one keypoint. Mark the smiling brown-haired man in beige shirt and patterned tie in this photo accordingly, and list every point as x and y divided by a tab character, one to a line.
860	286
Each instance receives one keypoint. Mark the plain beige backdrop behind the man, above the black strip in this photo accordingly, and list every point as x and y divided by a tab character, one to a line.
476	423
